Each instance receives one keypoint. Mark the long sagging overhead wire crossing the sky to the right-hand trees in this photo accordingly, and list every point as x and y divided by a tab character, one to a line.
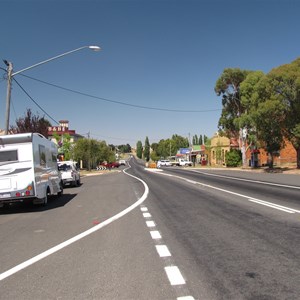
119	102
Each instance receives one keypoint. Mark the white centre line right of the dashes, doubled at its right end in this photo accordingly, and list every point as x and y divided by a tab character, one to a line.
262	202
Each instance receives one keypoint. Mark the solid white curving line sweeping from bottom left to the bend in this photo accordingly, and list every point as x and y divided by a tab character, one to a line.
79	236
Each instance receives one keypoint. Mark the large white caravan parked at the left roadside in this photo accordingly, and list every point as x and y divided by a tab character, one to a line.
28	169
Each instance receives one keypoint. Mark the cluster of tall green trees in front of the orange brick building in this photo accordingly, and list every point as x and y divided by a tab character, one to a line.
261	110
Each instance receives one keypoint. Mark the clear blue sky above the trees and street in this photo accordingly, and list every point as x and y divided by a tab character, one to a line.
160	58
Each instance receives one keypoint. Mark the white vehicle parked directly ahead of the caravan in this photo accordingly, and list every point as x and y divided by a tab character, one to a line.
70	172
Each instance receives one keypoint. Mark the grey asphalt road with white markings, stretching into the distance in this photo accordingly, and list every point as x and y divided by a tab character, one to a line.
175	233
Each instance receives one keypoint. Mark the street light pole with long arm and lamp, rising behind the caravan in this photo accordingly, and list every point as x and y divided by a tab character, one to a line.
10	75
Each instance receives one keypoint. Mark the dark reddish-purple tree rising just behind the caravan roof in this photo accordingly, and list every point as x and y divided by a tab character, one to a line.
31	123
